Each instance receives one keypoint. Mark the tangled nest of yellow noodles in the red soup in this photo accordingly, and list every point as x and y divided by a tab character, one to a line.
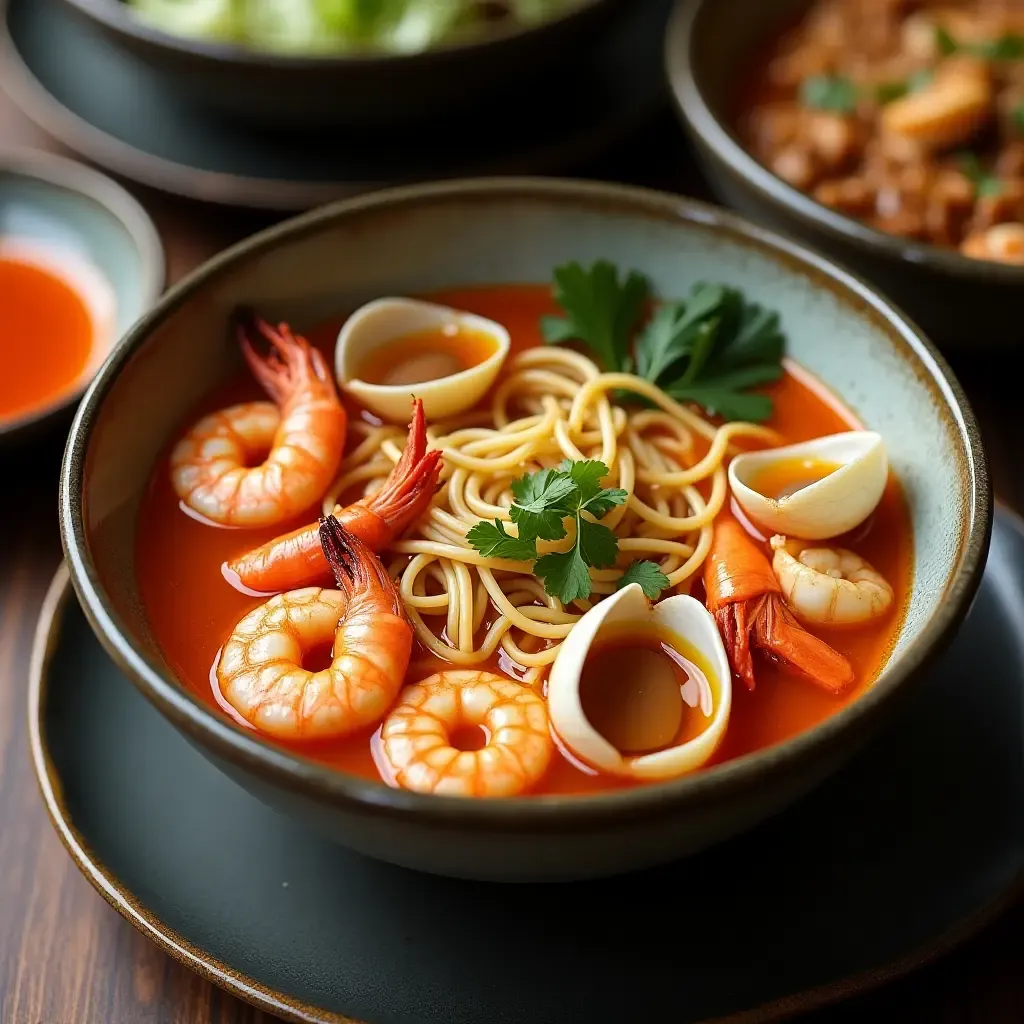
552	405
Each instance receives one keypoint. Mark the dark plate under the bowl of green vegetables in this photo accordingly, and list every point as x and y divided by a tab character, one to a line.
103	103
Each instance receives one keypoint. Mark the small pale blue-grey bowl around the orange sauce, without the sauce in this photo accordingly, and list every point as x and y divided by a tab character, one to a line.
49	202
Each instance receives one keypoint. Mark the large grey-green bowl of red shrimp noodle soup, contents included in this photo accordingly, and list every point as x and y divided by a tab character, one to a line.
539	639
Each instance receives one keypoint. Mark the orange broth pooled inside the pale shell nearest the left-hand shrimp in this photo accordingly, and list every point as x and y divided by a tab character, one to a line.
426	356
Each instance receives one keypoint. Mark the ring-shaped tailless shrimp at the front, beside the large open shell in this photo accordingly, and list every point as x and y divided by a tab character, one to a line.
416	738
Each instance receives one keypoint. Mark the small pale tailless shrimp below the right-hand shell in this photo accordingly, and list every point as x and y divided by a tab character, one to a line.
830	586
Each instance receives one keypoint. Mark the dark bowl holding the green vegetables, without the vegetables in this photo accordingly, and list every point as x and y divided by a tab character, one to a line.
283	91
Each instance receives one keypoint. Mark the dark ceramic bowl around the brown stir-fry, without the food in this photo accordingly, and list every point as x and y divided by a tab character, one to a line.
965	305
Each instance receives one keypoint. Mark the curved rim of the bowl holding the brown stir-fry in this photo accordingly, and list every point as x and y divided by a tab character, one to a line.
696	112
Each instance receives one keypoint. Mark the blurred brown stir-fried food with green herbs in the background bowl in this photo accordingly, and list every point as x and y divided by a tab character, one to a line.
908	115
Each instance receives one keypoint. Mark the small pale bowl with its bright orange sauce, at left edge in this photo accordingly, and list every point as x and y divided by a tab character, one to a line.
80	262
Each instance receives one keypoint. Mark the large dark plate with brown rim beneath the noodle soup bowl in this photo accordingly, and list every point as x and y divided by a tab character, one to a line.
914	846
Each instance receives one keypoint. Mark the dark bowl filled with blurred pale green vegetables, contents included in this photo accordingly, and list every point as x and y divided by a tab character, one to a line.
311	68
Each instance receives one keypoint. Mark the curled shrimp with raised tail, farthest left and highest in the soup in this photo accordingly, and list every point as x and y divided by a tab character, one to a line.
301	437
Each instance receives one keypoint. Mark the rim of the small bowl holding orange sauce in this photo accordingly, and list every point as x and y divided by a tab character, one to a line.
69	176
